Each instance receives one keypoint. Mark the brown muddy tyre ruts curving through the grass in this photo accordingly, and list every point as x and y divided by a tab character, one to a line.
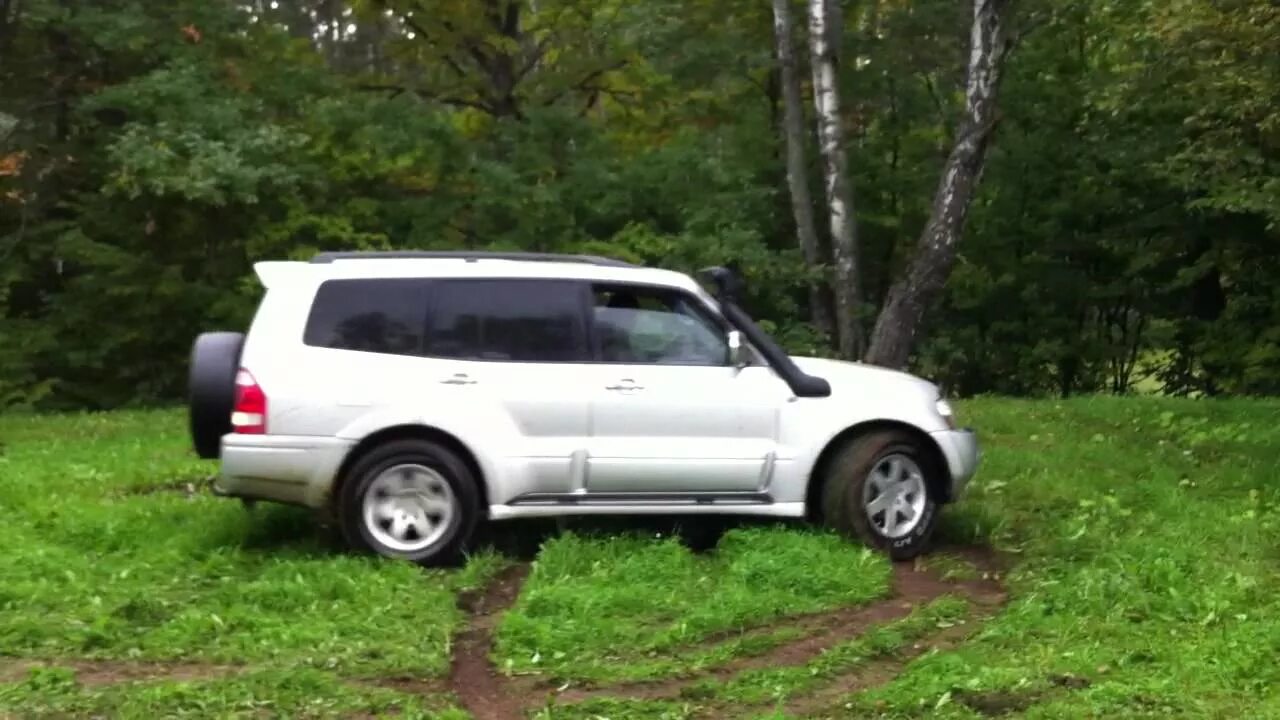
488	695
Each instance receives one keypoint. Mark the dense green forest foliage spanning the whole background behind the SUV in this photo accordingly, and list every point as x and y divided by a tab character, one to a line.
150	153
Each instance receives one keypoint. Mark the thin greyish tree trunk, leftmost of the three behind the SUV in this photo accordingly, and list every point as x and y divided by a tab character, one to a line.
798	176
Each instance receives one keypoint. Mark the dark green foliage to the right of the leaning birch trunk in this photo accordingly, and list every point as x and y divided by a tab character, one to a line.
1126	211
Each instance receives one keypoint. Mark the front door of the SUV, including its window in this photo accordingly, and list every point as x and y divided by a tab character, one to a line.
669	412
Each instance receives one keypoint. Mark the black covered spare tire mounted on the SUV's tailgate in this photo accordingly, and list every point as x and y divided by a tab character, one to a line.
212	388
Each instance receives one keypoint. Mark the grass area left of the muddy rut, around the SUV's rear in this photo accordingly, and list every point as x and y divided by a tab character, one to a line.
97	571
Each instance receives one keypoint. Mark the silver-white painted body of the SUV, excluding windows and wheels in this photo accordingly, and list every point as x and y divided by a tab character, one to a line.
560	439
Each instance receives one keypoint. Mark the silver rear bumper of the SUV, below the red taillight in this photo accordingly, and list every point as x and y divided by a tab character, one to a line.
298	471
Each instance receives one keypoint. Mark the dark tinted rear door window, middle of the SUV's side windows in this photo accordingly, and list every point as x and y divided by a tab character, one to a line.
509	321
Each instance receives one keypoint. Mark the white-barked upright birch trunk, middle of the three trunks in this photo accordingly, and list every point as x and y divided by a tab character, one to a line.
840	200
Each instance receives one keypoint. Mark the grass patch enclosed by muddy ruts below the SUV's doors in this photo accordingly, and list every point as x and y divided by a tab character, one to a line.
619	608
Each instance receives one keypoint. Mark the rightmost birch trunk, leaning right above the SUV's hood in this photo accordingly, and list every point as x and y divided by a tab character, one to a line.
899	322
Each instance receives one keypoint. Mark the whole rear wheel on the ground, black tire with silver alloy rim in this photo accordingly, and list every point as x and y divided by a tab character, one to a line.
441	479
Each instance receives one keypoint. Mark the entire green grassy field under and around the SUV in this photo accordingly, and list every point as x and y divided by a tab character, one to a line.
1136	544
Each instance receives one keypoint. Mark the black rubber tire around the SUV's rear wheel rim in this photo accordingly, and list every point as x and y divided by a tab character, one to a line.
440	459
